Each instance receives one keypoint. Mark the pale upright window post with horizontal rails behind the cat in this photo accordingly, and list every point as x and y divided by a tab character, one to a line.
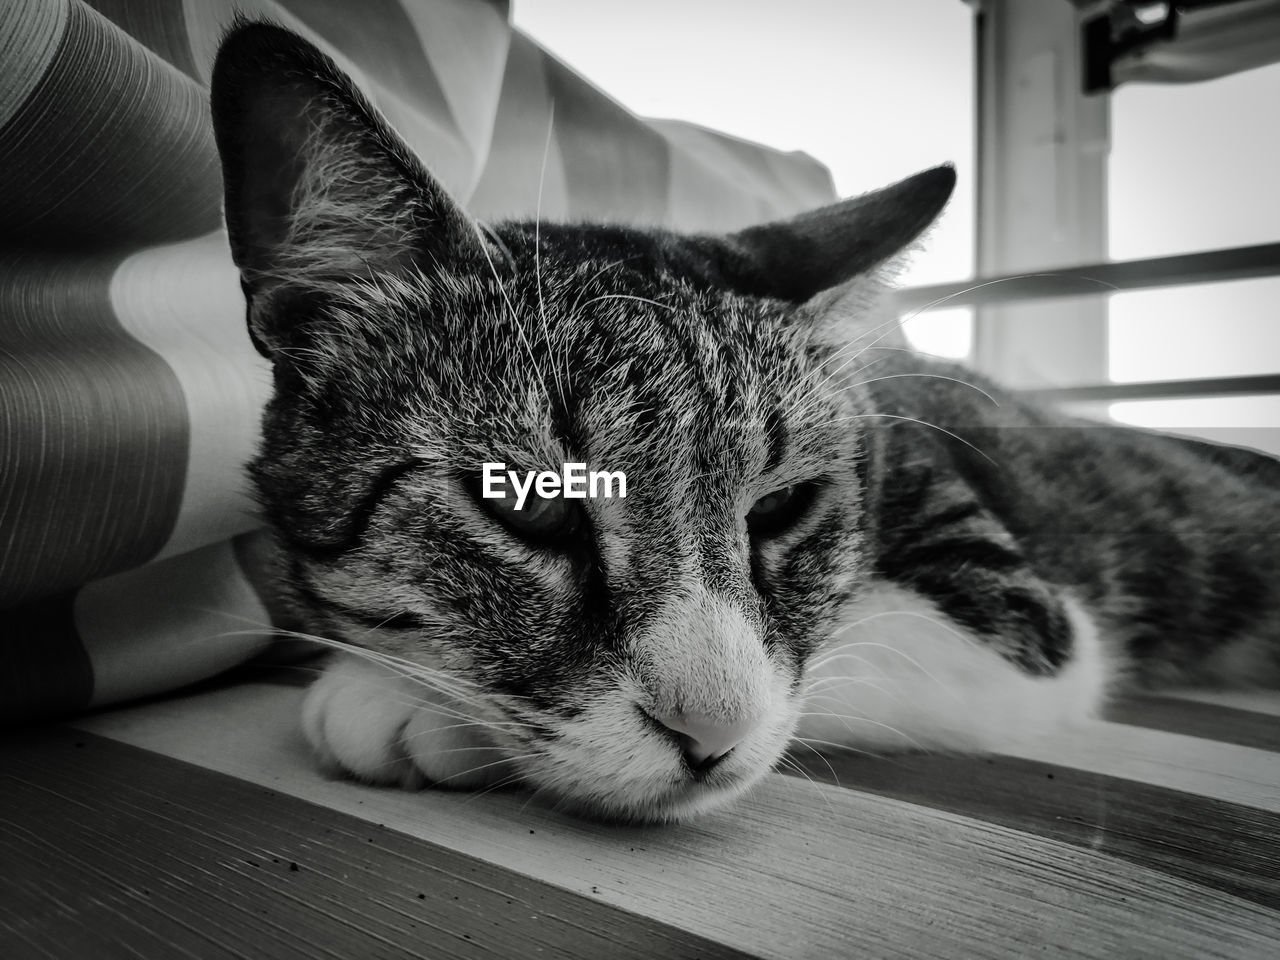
1043	152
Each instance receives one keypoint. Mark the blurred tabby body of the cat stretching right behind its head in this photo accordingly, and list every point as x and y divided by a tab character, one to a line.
1172	545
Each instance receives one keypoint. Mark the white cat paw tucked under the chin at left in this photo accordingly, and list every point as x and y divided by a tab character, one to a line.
368	723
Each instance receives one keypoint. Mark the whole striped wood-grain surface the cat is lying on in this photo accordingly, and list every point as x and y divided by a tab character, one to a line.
198	828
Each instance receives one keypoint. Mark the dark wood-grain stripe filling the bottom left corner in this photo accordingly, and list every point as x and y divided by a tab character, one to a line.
111	852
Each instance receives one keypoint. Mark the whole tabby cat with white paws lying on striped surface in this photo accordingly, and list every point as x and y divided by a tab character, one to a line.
828	538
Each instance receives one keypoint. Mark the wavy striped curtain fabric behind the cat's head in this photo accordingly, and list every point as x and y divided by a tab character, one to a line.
130	394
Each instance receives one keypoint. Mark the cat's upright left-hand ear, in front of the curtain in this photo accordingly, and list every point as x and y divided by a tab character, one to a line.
319	190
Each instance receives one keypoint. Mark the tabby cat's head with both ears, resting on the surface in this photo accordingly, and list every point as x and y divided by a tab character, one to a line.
636	657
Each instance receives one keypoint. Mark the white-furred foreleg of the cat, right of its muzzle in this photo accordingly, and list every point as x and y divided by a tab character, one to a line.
900	674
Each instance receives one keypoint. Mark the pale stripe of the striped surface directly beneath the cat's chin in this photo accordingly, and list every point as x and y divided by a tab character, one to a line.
797	870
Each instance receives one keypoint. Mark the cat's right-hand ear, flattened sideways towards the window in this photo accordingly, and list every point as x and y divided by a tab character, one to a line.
839	259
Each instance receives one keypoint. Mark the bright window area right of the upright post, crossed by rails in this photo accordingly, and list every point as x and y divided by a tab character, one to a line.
1194	168
